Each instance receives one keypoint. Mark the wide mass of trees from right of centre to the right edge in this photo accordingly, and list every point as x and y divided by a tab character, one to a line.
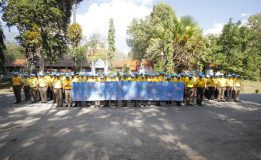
174	44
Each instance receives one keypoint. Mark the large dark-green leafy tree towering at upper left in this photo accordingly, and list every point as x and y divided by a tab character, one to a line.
52	18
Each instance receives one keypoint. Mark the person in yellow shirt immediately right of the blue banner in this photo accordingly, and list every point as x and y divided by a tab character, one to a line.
189	85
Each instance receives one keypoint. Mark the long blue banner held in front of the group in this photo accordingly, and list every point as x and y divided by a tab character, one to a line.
154	91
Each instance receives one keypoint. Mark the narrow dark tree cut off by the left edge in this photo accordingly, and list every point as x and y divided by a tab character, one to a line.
2	50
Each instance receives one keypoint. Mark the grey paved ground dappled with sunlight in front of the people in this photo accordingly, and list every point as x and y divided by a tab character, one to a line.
216	131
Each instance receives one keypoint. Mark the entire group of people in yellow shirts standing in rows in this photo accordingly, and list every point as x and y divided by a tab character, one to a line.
57	87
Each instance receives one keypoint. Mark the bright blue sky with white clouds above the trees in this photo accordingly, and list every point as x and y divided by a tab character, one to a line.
211	15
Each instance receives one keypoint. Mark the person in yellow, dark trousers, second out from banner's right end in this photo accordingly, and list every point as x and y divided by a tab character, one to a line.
200	85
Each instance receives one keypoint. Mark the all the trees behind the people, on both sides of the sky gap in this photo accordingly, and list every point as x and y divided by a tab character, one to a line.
172	43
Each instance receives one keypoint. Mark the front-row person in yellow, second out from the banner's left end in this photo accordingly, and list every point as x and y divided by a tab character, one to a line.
58	90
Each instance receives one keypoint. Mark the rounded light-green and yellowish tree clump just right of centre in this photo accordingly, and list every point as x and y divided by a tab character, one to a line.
170	43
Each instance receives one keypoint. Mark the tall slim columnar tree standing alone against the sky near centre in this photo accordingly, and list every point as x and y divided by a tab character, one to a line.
111	43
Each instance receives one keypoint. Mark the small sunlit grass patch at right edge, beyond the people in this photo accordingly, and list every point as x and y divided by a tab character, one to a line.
251	86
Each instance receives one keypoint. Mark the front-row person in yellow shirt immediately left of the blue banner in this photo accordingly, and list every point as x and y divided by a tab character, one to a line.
67	86
